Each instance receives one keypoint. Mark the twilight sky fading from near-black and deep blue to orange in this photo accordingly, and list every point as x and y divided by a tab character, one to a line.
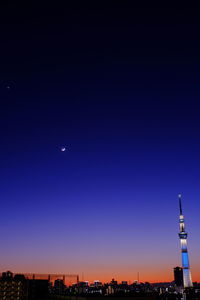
118	86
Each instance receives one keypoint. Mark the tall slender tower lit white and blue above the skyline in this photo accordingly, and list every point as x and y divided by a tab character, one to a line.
187	279
